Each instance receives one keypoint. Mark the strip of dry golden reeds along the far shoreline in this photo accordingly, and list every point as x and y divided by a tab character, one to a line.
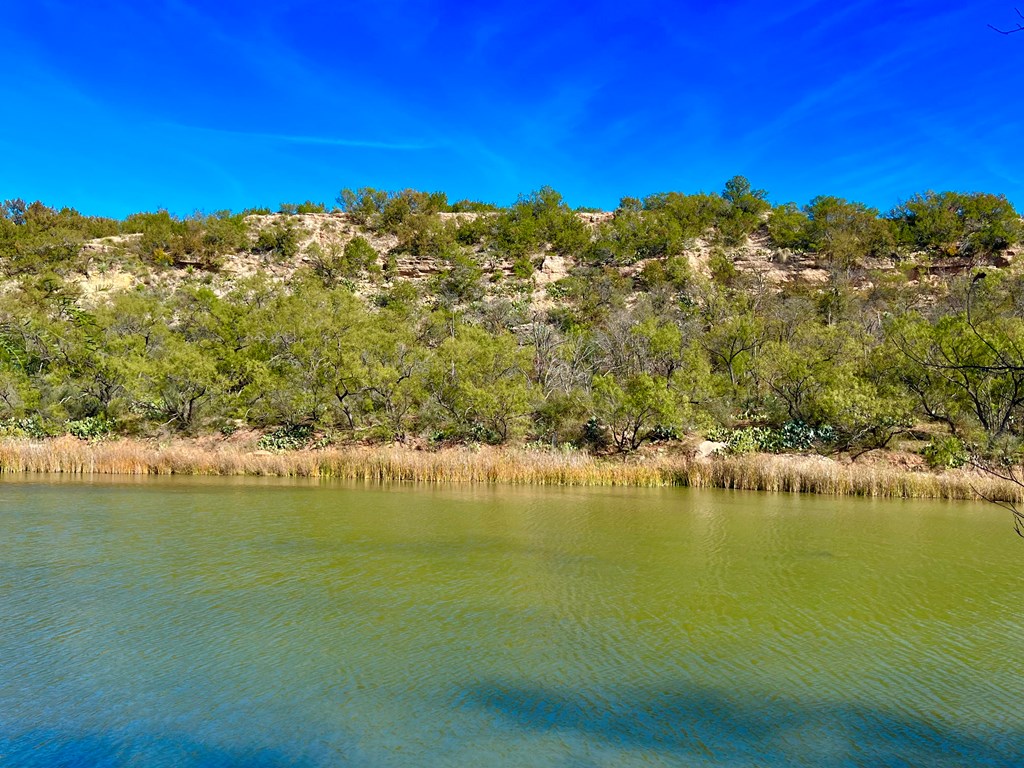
397	463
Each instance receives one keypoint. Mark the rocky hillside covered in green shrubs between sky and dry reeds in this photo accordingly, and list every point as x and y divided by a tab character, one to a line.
401	317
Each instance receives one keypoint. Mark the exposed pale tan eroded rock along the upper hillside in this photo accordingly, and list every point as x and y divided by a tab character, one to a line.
113	267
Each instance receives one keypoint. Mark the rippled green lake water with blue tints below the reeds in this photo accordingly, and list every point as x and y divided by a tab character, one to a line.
202	623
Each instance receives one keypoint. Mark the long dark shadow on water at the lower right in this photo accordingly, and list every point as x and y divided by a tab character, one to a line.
722	729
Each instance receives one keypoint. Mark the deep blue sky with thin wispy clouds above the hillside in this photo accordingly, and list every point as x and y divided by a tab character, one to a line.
114	108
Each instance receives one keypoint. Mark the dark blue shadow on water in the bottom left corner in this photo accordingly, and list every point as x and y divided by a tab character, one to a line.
55	749
